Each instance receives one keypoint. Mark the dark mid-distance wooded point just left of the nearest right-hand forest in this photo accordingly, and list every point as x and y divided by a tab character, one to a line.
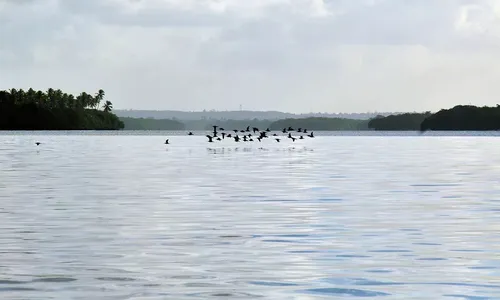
407	121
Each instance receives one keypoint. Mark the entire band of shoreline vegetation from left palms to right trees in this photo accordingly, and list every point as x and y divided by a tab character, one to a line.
56	110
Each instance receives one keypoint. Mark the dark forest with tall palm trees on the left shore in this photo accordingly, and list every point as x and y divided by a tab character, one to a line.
55	110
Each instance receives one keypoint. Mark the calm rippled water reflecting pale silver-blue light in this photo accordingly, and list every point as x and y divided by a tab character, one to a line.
104	216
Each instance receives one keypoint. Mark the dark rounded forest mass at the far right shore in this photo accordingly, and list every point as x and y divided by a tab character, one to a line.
464	117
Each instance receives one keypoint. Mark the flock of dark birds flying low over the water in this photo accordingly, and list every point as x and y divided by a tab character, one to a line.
253	134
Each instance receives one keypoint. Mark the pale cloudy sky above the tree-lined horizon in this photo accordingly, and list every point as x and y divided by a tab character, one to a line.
289	55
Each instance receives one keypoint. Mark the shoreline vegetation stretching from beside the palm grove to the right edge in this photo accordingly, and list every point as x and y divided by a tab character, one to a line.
460	117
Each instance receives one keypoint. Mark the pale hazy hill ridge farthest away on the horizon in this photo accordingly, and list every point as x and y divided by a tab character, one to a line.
237	115
